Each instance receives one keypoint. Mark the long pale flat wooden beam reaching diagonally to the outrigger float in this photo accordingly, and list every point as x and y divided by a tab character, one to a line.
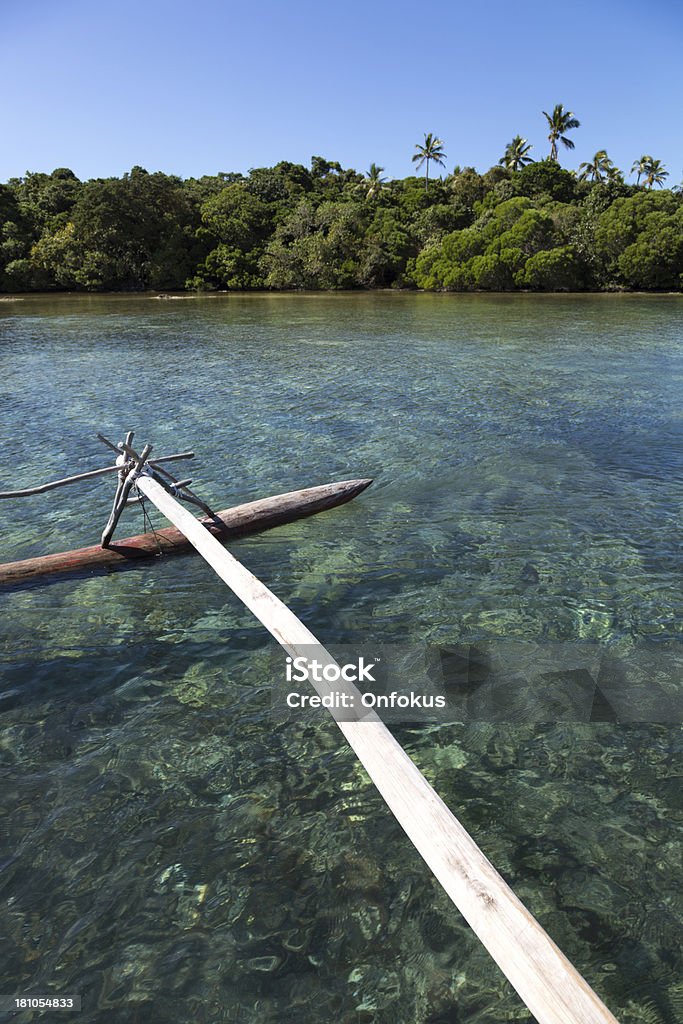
551	988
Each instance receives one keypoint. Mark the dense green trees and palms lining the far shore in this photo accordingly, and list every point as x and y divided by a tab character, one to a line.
521	226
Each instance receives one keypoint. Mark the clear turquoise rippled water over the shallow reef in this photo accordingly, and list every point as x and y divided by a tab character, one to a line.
169	852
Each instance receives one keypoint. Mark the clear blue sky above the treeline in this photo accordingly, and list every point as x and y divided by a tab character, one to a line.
196	89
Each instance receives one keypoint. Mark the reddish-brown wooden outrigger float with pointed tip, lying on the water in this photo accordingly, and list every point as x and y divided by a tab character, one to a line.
239	522
